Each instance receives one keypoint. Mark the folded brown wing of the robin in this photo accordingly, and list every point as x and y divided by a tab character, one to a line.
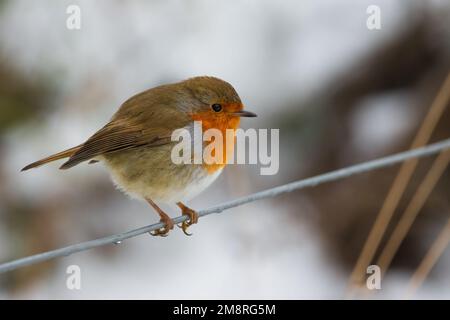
139	122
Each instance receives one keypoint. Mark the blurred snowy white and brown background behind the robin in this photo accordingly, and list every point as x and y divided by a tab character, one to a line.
339	93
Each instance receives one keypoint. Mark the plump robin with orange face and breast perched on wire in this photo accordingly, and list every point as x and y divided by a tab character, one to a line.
135	145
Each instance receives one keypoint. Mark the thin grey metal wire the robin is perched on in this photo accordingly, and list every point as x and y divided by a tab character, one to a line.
300	184
